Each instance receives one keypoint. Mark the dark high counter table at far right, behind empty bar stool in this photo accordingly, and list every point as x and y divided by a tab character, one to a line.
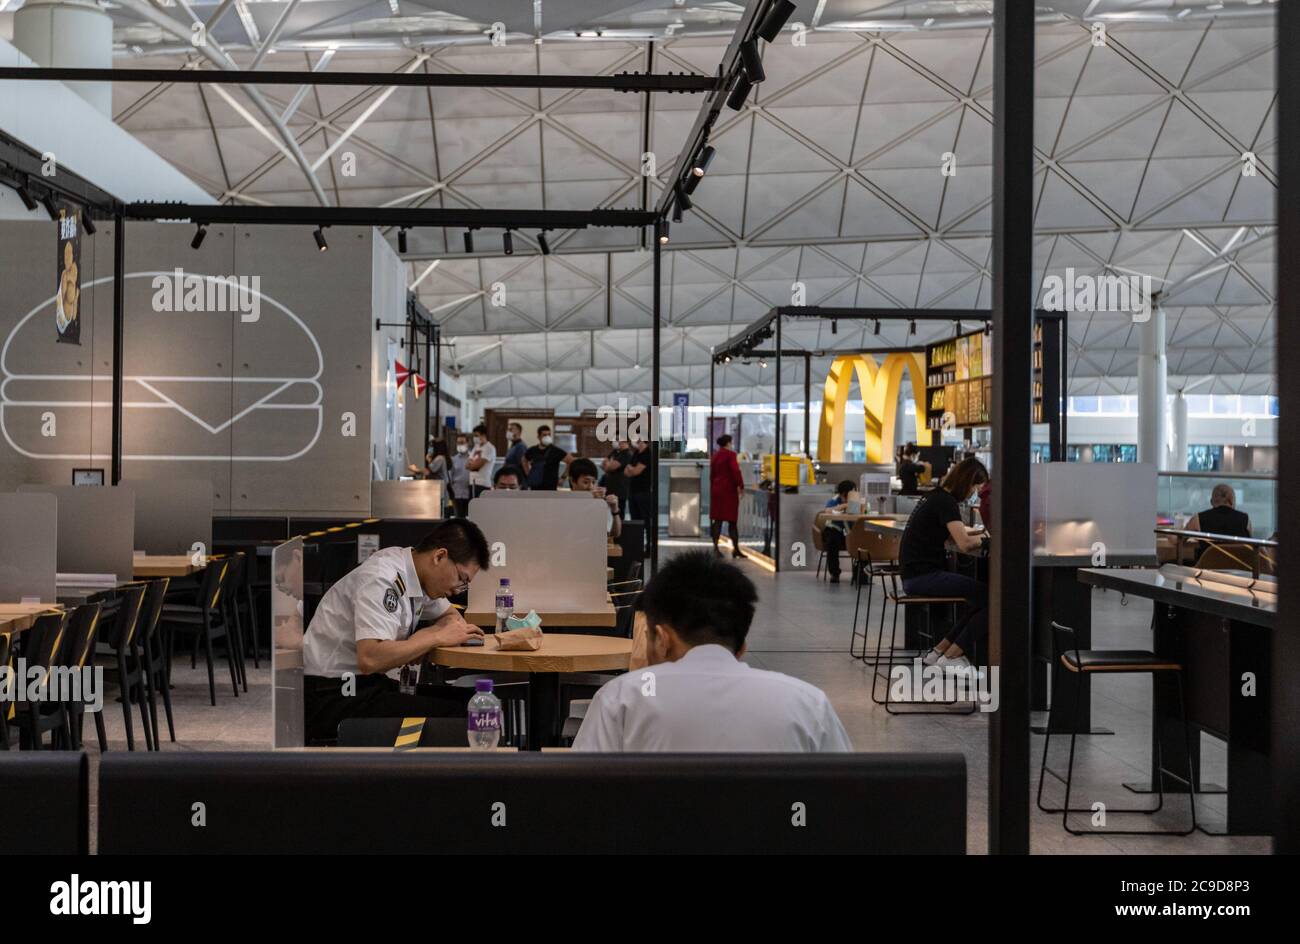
1221	635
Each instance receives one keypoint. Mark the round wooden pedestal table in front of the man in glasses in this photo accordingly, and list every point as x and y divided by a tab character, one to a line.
561	653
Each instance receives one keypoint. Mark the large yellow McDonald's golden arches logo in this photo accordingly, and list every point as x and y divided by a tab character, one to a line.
879	387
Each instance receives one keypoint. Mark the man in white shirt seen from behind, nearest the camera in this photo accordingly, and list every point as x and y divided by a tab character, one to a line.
697	695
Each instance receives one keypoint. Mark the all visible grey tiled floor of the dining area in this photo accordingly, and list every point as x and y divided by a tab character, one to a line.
801	629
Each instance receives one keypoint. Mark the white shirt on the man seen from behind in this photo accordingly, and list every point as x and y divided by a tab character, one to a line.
710	701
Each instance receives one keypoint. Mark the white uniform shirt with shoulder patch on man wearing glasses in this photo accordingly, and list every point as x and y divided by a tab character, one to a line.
380	600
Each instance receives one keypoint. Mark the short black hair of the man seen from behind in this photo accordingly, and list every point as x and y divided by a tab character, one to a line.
704	599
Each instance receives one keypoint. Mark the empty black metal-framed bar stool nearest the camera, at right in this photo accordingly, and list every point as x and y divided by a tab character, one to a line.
1065	648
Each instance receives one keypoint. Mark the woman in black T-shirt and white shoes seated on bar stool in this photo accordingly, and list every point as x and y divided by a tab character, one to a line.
924	560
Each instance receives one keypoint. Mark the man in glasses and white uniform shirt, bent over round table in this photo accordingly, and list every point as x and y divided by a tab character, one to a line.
367	629
